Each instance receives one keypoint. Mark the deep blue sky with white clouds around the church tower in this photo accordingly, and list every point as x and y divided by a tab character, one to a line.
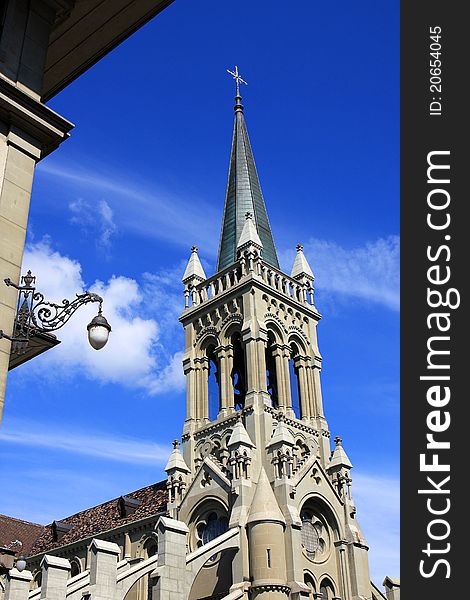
118	206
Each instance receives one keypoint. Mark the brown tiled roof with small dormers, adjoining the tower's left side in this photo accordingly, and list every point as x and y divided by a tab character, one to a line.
92	521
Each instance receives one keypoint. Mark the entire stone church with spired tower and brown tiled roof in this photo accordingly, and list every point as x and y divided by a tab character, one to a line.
258	501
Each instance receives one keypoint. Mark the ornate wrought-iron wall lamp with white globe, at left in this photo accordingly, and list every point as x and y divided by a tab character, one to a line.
34	316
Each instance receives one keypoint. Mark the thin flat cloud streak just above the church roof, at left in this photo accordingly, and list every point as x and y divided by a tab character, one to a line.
97	445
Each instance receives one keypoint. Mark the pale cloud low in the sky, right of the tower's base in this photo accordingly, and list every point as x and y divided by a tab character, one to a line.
378	513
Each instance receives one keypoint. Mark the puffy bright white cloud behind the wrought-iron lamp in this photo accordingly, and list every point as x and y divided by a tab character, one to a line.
137	354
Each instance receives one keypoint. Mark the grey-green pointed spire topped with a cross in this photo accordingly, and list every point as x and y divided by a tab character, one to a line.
243	194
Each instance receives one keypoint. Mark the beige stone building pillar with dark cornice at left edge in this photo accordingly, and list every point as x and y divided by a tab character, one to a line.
29	130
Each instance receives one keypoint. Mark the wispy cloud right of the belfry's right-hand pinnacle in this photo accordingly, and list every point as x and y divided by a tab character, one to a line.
370	272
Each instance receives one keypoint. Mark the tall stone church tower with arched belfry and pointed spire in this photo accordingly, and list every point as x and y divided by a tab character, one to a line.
265	505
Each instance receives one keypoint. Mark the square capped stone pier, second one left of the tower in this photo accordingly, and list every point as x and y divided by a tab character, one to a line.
103	570
